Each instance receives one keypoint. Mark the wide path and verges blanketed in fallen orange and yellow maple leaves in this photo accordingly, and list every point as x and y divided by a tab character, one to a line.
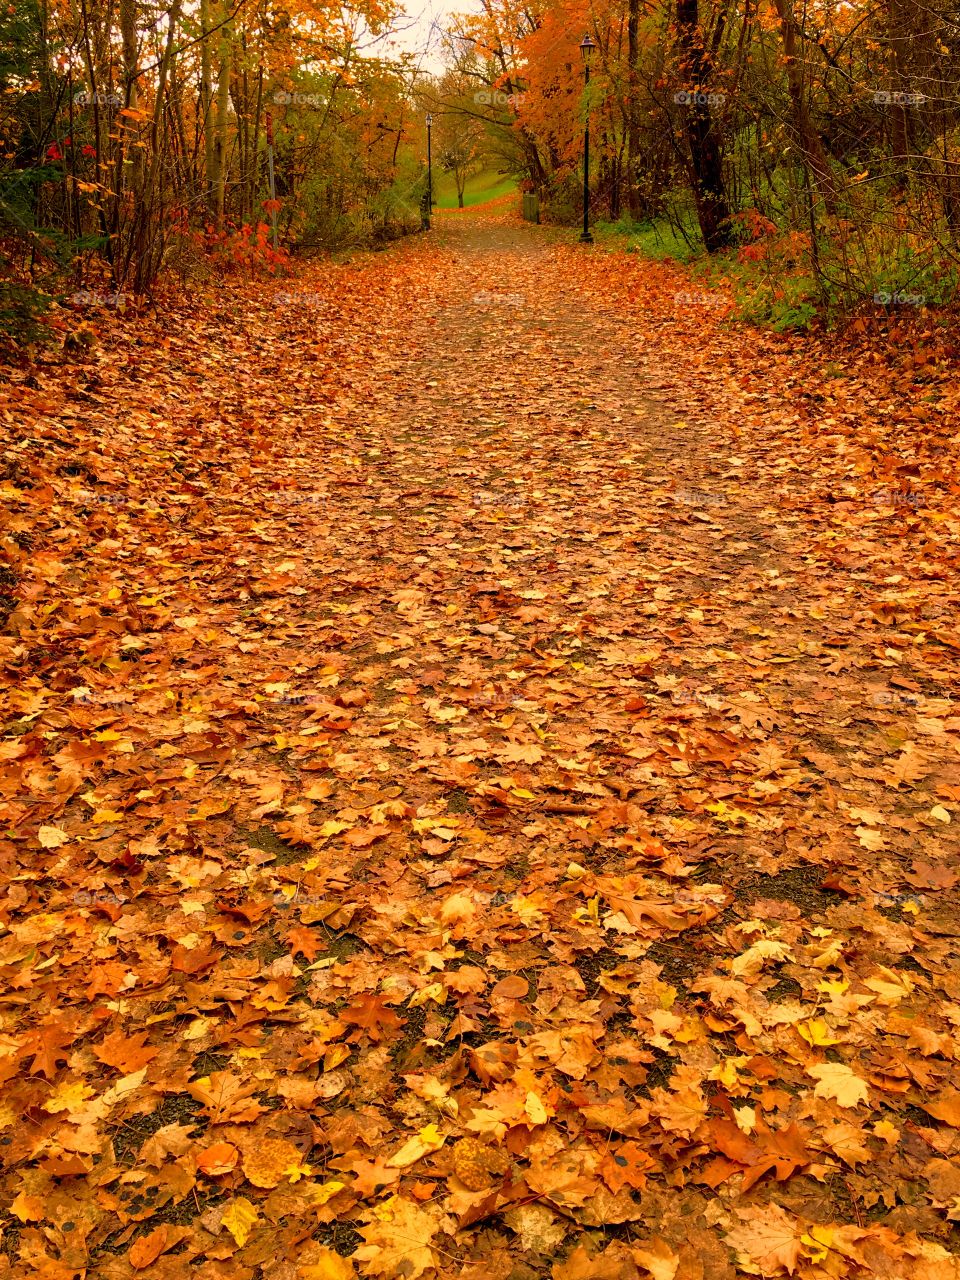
479	787
